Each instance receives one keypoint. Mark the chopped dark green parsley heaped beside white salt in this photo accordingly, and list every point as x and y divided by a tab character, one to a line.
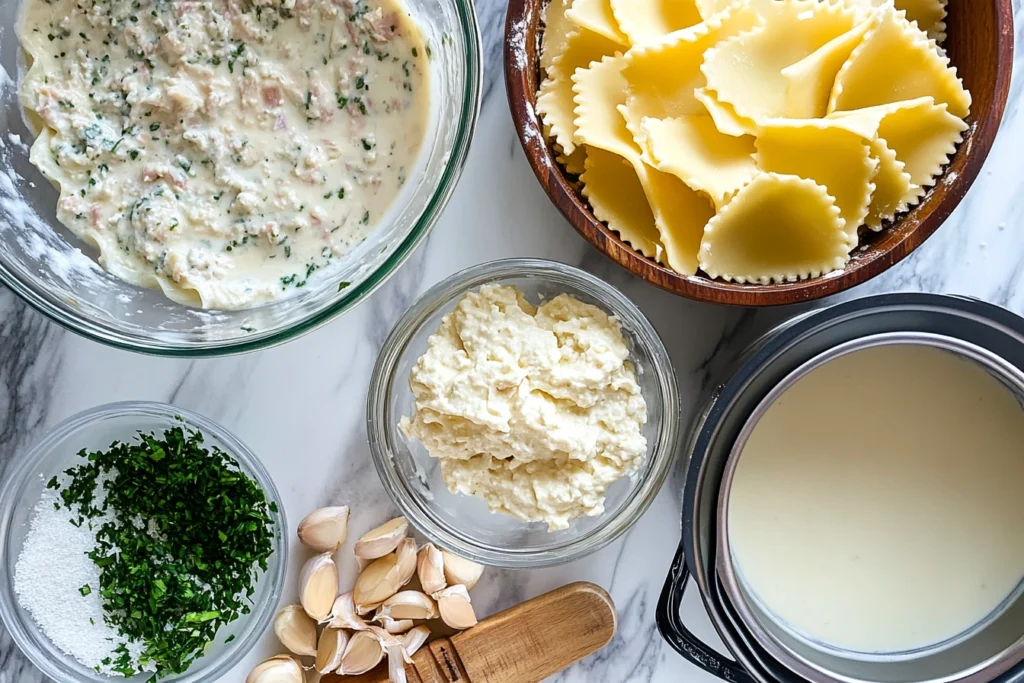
181	556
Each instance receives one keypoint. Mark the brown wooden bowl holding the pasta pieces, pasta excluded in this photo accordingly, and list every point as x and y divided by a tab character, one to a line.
980	45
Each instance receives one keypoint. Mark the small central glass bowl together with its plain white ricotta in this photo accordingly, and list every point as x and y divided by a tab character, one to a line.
531	514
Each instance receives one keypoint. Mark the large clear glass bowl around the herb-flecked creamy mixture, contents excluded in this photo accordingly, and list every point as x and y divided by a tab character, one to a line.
57	274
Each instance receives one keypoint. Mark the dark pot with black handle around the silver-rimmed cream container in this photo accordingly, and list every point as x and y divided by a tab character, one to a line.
726	412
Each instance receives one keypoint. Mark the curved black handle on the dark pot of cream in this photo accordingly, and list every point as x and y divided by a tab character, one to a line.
671	625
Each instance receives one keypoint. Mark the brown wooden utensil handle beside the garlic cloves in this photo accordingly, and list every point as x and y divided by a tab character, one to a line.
524	645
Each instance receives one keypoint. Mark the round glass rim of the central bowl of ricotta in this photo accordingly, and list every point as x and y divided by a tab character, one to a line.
660	461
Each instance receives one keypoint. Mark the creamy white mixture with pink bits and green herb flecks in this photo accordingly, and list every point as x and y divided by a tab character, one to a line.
225	151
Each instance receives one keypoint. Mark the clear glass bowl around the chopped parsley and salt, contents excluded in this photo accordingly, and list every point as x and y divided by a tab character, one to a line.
98	429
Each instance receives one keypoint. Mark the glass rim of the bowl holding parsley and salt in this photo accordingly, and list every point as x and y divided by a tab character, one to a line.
24	467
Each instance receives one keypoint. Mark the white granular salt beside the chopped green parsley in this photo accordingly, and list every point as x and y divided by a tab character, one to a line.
49	579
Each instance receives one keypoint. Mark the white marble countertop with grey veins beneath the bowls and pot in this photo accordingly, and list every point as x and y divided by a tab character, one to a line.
301	407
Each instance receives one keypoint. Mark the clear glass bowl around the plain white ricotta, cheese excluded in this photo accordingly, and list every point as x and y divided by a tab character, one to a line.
462	524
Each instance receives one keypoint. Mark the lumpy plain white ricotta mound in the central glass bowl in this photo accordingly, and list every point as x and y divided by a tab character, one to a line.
536	411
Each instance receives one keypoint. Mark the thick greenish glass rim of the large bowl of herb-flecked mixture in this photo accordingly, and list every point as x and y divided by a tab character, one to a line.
465	129
